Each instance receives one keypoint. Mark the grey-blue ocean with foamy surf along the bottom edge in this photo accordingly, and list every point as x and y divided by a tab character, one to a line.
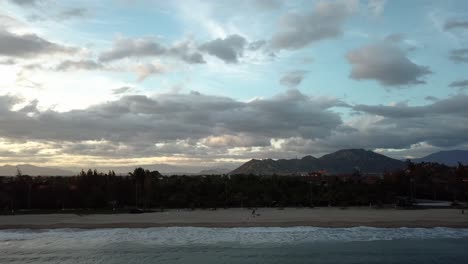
236	245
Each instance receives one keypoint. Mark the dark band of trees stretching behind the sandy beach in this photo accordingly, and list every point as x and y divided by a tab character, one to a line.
150	190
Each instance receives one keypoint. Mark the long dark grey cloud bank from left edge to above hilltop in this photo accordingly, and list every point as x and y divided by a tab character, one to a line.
140	120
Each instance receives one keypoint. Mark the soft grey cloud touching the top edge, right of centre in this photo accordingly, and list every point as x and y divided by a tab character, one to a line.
325	21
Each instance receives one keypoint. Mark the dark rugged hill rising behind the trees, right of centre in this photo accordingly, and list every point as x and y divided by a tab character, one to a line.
342	161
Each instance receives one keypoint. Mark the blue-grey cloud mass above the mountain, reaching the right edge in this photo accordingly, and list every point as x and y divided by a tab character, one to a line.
442	124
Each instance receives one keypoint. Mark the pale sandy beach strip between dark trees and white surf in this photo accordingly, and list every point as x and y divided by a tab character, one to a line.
320	217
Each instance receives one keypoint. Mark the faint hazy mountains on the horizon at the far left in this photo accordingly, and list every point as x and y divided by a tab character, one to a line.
31	170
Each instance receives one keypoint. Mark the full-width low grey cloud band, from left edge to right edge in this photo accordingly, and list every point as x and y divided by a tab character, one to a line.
198	125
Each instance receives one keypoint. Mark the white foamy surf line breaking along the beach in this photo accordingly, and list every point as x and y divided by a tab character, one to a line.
76	238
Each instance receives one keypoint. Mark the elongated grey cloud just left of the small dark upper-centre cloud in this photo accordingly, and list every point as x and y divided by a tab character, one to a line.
147	47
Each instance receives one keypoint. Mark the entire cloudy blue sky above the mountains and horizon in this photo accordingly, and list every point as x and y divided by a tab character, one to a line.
120	82
